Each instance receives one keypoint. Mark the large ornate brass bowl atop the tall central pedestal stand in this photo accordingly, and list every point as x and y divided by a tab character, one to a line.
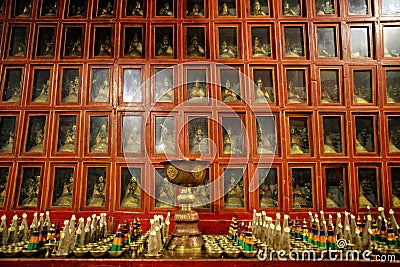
187	173
